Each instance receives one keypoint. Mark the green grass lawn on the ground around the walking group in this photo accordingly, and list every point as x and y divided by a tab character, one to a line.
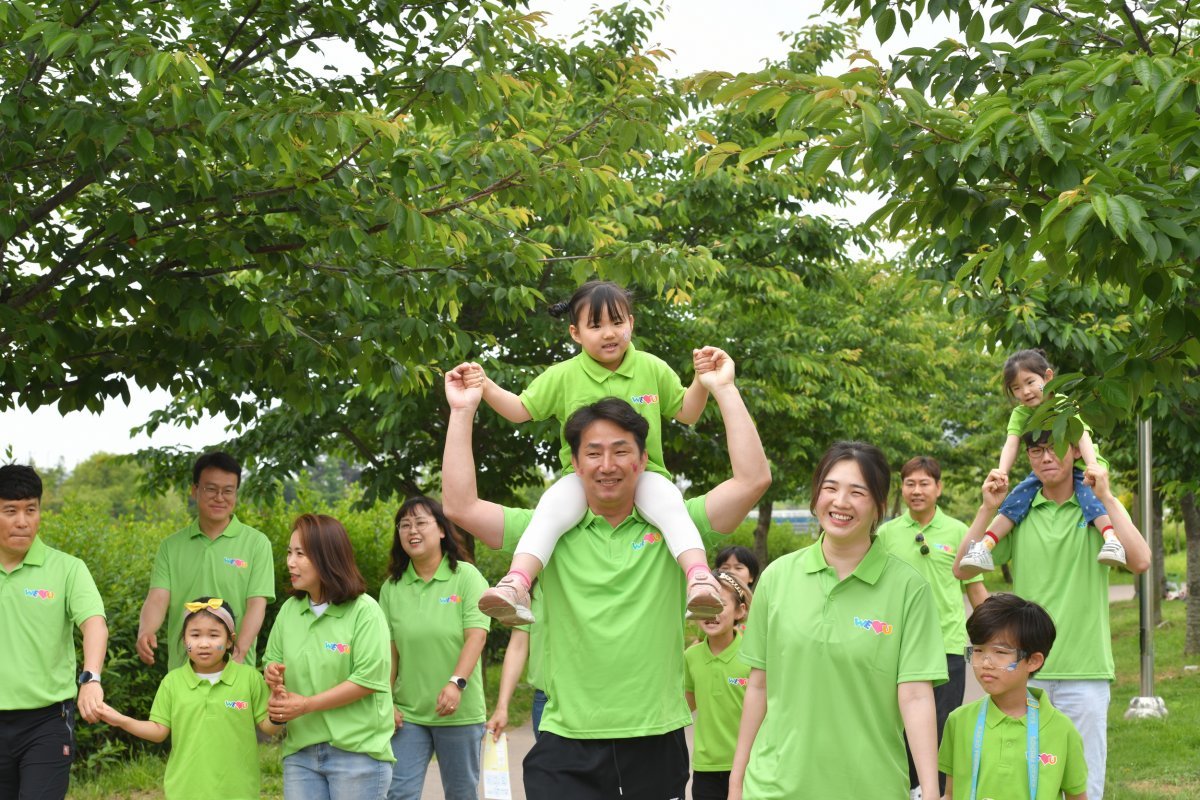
1149	760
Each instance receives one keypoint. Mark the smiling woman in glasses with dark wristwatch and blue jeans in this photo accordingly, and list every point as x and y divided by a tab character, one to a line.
431	601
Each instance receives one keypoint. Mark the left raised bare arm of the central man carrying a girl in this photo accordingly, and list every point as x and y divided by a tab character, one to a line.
460	495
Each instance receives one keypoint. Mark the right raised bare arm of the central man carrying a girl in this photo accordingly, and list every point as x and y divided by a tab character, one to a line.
729	503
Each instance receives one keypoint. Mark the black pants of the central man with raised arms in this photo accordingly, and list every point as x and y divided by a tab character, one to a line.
643	768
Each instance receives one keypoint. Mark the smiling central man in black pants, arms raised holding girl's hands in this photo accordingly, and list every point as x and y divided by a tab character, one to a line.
613	647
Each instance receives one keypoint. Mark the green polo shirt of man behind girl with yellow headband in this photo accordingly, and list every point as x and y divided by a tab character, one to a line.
236	566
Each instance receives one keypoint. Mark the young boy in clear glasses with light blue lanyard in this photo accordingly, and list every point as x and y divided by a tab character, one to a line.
1012	744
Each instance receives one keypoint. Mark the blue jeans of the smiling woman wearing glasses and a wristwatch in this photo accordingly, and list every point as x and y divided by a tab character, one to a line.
458	749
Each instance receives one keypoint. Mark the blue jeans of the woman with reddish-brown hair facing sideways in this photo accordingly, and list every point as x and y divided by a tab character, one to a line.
326	773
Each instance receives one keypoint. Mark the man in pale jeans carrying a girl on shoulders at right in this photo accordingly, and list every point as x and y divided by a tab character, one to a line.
1054	564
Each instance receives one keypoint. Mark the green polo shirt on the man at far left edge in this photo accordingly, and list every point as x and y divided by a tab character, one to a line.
41	601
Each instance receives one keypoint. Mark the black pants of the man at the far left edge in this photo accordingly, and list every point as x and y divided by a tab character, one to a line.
37	750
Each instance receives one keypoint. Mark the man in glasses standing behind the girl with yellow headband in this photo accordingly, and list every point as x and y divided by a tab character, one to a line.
215	557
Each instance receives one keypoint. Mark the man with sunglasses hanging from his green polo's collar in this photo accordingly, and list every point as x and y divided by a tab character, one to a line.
928	539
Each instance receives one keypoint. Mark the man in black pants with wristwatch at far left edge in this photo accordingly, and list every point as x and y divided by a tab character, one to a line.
45	594
